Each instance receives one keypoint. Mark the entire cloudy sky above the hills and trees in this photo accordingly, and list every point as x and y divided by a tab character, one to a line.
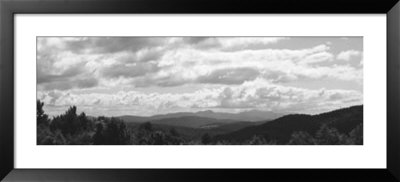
155	75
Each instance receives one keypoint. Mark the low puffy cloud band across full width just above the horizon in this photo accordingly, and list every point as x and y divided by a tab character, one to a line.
256	94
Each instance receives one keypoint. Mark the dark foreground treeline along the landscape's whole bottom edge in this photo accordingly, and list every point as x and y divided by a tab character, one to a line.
72	128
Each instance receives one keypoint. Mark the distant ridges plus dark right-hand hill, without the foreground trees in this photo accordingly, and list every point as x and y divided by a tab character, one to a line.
226	127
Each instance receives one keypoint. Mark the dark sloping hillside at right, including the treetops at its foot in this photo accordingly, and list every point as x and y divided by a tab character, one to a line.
340	125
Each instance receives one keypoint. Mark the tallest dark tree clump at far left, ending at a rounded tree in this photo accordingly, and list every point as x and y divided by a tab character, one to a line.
73	129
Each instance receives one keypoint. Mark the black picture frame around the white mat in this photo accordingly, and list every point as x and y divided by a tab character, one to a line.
9	8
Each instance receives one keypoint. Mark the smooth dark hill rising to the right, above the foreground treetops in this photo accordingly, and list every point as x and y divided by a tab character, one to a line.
281	129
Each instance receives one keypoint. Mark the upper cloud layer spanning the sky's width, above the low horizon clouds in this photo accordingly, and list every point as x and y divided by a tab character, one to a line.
172	65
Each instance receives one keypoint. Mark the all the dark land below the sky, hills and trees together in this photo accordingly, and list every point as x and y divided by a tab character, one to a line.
340	127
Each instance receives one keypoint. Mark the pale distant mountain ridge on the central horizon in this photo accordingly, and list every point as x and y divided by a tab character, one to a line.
253	115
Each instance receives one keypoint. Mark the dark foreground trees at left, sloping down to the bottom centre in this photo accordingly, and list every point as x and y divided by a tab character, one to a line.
71	128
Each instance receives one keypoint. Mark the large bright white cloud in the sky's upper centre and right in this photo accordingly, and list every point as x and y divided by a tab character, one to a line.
186	66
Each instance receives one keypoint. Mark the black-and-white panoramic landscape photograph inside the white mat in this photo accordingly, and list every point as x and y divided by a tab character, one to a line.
199	90
